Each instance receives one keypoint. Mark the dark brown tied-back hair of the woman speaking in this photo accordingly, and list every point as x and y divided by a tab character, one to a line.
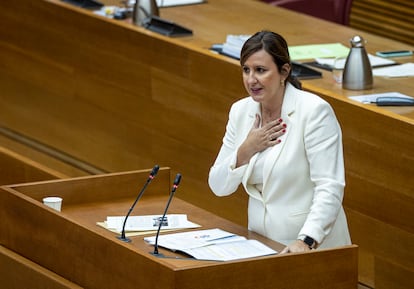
275	45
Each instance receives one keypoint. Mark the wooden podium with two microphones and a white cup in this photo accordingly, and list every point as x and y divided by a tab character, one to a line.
70	244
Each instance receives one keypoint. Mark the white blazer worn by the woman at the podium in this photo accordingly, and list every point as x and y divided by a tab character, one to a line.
303	176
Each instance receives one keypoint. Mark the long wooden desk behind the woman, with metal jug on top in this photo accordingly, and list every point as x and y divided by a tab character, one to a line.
121	97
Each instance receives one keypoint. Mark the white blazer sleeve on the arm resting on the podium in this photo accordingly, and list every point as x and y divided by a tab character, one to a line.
323	145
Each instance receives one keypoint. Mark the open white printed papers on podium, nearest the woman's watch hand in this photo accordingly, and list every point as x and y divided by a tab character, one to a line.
212	244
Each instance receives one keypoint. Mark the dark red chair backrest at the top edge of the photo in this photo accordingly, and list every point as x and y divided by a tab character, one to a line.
332	10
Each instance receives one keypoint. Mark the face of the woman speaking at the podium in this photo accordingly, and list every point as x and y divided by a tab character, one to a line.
262	78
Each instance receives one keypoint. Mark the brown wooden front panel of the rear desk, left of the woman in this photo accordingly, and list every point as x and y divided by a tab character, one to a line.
125	104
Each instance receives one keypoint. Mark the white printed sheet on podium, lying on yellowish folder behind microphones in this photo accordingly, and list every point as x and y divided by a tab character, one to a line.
149	222
